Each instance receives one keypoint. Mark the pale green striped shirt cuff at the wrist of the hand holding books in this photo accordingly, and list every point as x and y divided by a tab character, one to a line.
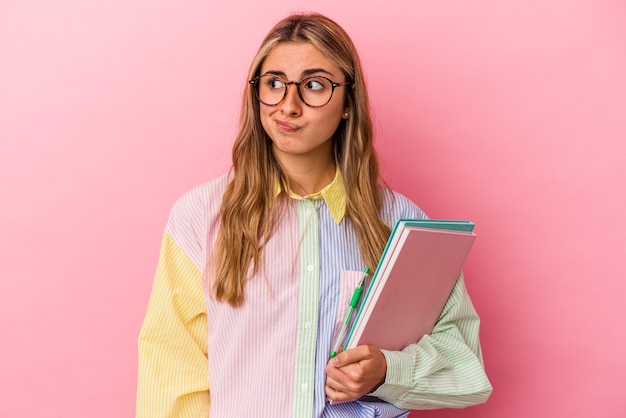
398	378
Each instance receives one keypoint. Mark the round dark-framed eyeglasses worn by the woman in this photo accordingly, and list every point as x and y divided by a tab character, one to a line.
314	91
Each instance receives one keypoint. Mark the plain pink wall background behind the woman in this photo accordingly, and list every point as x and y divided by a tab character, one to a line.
512	114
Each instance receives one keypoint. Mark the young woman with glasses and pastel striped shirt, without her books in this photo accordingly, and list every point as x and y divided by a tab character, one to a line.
257	265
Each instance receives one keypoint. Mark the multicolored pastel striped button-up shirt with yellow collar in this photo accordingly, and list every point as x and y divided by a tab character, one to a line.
199	357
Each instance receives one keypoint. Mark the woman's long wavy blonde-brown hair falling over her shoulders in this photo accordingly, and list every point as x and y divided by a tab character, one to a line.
250	208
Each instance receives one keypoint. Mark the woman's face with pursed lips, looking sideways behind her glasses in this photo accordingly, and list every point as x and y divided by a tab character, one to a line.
300	132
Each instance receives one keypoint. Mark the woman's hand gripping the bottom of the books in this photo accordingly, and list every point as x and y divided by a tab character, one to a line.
354	373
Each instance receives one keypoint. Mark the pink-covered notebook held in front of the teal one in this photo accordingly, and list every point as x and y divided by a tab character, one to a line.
410	287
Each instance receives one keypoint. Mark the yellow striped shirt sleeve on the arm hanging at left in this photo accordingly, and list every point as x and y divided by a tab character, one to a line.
173	378
